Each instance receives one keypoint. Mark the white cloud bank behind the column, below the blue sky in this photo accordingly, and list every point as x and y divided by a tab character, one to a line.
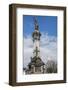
48	48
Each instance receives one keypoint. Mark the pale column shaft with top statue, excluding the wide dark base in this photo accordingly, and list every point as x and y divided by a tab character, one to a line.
36	39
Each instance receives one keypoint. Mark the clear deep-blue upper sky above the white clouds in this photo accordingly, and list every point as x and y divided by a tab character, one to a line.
47	24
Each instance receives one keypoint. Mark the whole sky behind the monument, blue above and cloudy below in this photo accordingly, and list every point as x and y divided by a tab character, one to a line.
48	42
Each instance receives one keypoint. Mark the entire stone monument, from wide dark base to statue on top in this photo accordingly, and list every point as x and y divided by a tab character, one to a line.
36	65
